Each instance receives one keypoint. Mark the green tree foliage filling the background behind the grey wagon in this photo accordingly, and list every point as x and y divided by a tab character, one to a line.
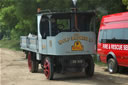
18	17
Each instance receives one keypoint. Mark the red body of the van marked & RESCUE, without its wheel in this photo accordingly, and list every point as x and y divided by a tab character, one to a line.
120	50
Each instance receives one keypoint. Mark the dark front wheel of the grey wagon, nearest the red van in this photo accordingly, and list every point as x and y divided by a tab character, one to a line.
89	70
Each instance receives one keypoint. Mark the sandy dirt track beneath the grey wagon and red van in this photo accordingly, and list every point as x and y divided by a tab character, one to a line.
14	71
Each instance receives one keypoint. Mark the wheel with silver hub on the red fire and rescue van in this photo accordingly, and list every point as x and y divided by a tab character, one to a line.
112	66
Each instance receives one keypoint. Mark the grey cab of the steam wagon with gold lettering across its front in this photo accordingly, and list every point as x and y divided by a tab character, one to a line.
66	33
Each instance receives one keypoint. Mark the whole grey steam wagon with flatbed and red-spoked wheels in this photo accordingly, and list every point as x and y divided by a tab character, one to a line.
65	42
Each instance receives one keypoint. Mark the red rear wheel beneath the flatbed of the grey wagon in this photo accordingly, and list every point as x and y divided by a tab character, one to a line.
32	62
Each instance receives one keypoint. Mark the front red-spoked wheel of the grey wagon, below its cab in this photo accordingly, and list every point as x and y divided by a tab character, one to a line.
48	68
